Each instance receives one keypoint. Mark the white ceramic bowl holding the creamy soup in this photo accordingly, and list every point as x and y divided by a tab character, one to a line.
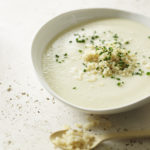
66	20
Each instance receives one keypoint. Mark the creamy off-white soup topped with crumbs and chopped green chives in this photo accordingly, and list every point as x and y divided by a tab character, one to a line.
100	64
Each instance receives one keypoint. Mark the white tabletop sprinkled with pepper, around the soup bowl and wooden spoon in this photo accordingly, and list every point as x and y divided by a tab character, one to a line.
27	117
